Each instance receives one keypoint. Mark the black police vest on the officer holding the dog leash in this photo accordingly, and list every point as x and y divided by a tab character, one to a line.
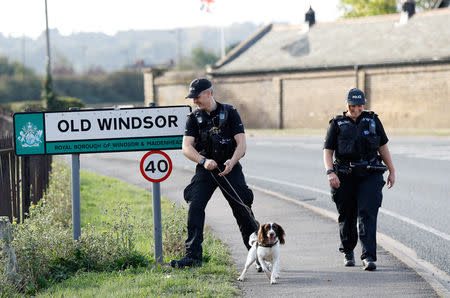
215	141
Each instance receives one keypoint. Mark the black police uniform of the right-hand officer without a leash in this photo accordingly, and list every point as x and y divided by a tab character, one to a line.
355	144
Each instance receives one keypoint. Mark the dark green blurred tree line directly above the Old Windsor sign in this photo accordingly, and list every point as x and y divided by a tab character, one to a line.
18	83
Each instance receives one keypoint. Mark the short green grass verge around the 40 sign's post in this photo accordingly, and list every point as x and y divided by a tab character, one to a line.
215	279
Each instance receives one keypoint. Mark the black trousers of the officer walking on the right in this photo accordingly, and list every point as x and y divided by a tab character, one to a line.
358	200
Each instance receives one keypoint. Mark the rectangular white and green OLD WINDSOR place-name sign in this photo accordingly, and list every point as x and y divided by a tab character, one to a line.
104	130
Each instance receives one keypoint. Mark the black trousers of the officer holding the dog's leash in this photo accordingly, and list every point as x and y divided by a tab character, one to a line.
199	192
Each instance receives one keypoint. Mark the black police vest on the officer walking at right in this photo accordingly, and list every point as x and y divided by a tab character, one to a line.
357	141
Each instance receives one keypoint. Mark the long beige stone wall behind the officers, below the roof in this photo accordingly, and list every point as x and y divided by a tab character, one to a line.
403	97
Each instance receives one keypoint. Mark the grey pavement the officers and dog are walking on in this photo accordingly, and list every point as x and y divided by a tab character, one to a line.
311	265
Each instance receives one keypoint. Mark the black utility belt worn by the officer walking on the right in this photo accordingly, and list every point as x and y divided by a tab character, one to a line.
361	167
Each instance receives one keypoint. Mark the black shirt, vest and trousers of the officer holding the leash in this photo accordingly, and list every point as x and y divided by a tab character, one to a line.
214	139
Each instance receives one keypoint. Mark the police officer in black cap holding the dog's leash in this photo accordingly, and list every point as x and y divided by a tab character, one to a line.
215	140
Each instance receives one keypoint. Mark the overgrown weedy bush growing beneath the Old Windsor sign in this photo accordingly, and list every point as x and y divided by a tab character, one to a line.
46	252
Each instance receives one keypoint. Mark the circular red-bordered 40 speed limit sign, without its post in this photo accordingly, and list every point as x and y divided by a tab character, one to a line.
156	166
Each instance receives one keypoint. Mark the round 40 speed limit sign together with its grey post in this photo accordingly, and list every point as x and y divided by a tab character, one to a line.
156	166
